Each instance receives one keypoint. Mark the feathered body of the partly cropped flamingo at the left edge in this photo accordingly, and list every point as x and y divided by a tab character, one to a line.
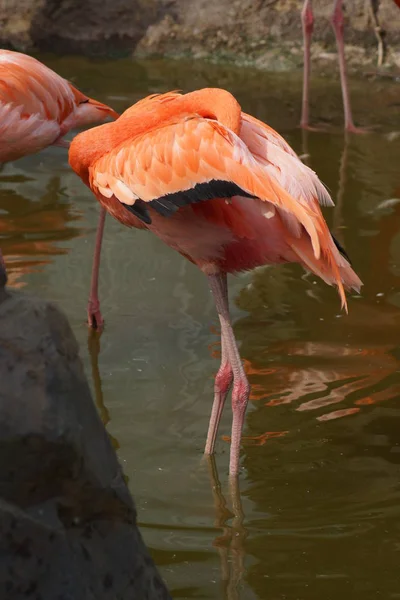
38	107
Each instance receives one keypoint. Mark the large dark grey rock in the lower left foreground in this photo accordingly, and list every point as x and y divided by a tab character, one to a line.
67	521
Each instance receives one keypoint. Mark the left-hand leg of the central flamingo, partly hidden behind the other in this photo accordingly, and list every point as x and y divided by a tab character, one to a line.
223	382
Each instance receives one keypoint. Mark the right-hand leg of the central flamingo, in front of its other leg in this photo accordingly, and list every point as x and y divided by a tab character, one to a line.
241	387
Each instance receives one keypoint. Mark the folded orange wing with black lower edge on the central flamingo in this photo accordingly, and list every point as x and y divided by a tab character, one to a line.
192	160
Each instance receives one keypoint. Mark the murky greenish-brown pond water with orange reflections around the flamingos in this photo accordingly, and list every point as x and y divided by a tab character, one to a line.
320	489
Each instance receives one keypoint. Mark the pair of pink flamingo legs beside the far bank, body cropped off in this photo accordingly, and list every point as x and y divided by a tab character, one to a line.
337	21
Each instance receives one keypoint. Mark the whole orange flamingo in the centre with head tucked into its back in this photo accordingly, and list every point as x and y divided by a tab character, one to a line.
223	189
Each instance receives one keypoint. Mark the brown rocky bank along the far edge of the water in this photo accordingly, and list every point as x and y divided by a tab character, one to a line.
263	33
